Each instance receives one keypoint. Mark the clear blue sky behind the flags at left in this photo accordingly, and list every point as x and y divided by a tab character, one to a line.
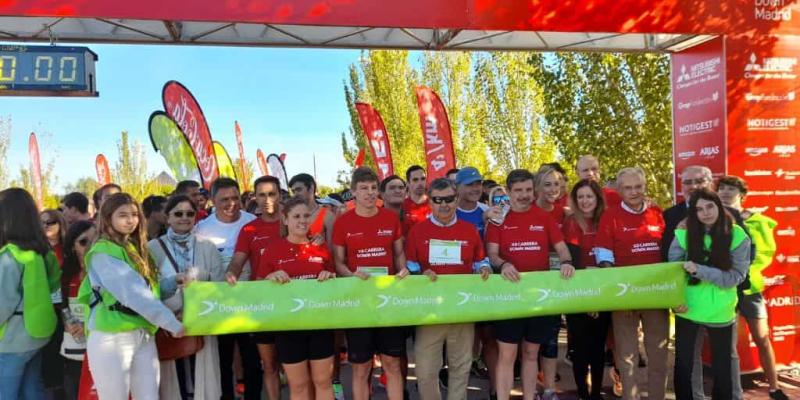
286	101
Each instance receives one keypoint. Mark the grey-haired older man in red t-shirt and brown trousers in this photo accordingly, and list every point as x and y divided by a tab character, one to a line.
630	234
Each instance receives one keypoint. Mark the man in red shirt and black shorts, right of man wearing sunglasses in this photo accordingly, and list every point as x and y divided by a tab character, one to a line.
522	244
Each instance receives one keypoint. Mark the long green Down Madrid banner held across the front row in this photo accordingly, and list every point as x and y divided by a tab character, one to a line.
212	308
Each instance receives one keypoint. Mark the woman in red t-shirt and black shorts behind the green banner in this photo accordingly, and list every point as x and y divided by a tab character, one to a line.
306	356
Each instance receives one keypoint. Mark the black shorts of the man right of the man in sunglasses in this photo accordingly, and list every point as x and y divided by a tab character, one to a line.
538	330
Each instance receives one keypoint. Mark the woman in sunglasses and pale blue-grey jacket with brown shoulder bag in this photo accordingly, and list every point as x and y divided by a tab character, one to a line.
182	257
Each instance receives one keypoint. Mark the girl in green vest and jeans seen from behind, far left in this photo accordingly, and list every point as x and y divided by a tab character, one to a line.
29	274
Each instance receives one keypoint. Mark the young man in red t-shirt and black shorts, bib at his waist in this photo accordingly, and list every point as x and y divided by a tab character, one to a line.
368	241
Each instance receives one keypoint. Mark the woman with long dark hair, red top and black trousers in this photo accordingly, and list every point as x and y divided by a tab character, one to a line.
587	330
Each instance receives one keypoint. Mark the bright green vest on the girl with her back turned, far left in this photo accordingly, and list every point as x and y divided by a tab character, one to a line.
40	277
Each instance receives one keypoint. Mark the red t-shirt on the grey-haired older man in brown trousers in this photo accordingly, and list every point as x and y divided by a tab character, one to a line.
633	238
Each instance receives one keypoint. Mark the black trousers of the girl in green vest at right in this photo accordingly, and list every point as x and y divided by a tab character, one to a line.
720	338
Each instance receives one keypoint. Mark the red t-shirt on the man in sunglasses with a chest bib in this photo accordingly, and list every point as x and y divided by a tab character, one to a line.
418	246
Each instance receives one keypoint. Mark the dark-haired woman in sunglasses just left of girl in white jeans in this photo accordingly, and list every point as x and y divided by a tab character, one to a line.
73	344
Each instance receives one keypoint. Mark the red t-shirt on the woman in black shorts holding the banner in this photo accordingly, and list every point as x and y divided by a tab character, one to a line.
299	261
